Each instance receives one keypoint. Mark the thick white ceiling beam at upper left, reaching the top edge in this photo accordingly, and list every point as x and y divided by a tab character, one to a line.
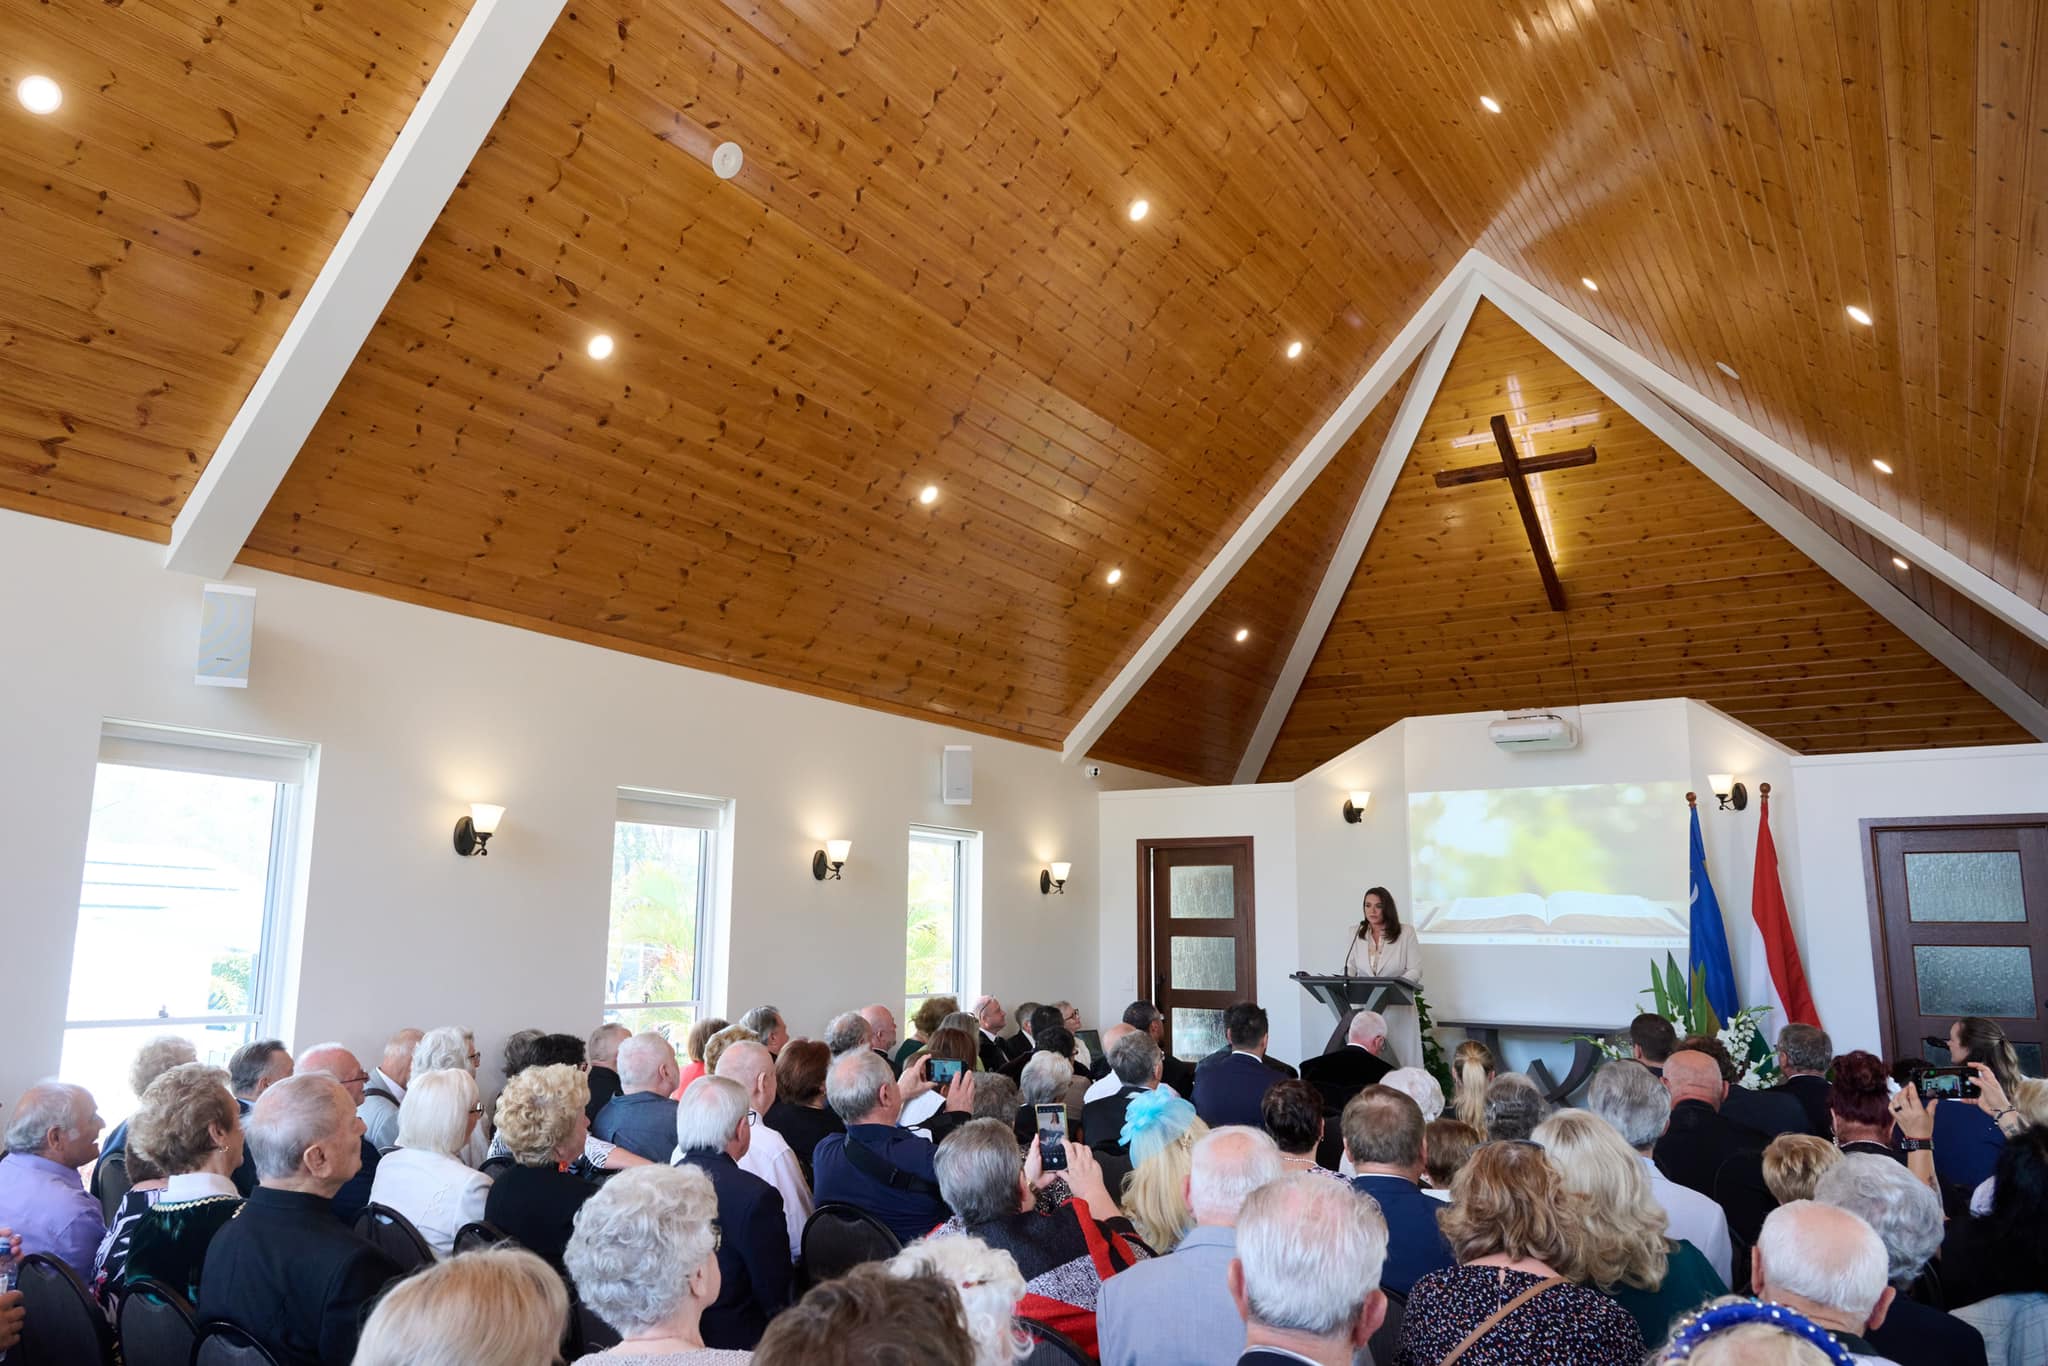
472	85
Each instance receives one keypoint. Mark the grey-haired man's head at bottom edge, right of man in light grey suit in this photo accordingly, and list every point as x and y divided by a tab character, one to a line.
1306	1279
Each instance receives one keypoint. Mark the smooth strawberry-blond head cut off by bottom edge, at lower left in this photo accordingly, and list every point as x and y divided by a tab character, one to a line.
490	1308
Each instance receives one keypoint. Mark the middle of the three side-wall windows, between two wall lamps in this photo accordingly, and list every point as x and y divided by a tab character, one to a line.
665	878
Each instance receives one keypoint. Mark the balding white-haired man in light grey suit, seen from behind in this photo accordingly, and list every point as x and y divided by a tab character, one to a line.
1179	1308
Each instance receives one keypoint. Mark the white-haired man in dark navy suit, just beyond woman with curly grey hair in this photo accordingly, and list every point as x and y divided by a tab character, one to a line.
755	1275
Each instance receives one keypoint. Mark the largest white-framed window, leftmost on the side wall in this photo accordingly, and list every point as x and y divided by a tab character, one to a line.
185	904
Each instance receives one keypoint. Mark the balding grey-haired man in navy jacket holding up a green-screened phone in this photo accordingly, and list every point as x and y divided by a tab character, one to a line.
878	1166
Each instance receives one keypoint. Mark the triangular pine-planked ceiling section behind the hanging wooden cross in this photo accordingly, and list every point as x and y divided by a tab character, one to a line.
1672	591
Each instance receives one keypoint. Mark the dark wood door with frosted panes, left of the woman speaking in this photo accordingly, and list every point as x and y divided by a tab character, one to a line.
1195	935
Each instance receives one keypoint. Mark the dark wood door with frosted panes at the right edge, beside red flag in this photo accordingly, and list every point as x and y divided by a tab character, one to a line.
1959	923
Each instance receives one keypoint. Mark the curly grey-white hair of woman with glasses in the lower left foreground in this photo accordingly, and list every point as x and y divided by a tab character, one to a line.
638	1242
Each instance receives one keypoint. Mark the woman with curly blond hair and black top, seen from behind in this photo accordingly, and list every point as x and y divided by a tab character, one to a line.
544	1125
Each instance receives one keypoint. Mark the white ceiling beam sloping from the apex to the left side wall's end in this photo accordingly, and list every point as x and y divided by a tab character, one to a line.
1312	462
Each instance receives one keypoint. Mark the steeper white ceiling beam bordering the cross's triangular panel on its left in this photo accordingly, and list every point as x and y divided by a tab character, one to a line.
1359	531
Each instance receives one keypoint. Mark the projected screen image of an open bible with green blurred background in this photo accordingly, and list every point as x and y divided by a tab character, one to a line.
1598	865
